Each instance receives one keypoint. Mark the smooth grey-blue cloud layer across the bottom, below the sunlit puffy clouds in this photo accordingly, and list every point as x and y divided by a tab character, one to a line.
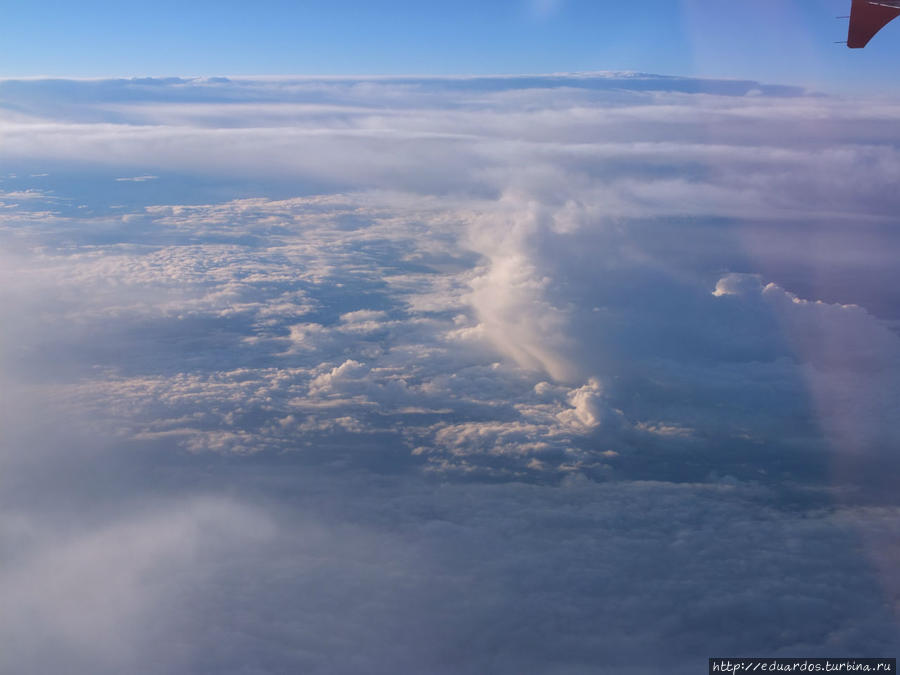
351	573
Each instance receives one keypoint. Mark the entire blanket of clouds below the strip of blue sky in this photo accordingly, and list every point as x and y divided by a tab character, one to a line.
563	374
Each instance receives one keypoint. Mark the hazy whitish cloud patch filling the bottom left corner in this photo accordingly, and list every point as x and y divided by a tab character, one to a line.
97	599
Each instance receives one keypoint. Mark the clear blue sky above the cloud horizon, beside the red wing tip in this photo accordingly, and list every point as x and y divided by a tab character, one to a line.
772	40
